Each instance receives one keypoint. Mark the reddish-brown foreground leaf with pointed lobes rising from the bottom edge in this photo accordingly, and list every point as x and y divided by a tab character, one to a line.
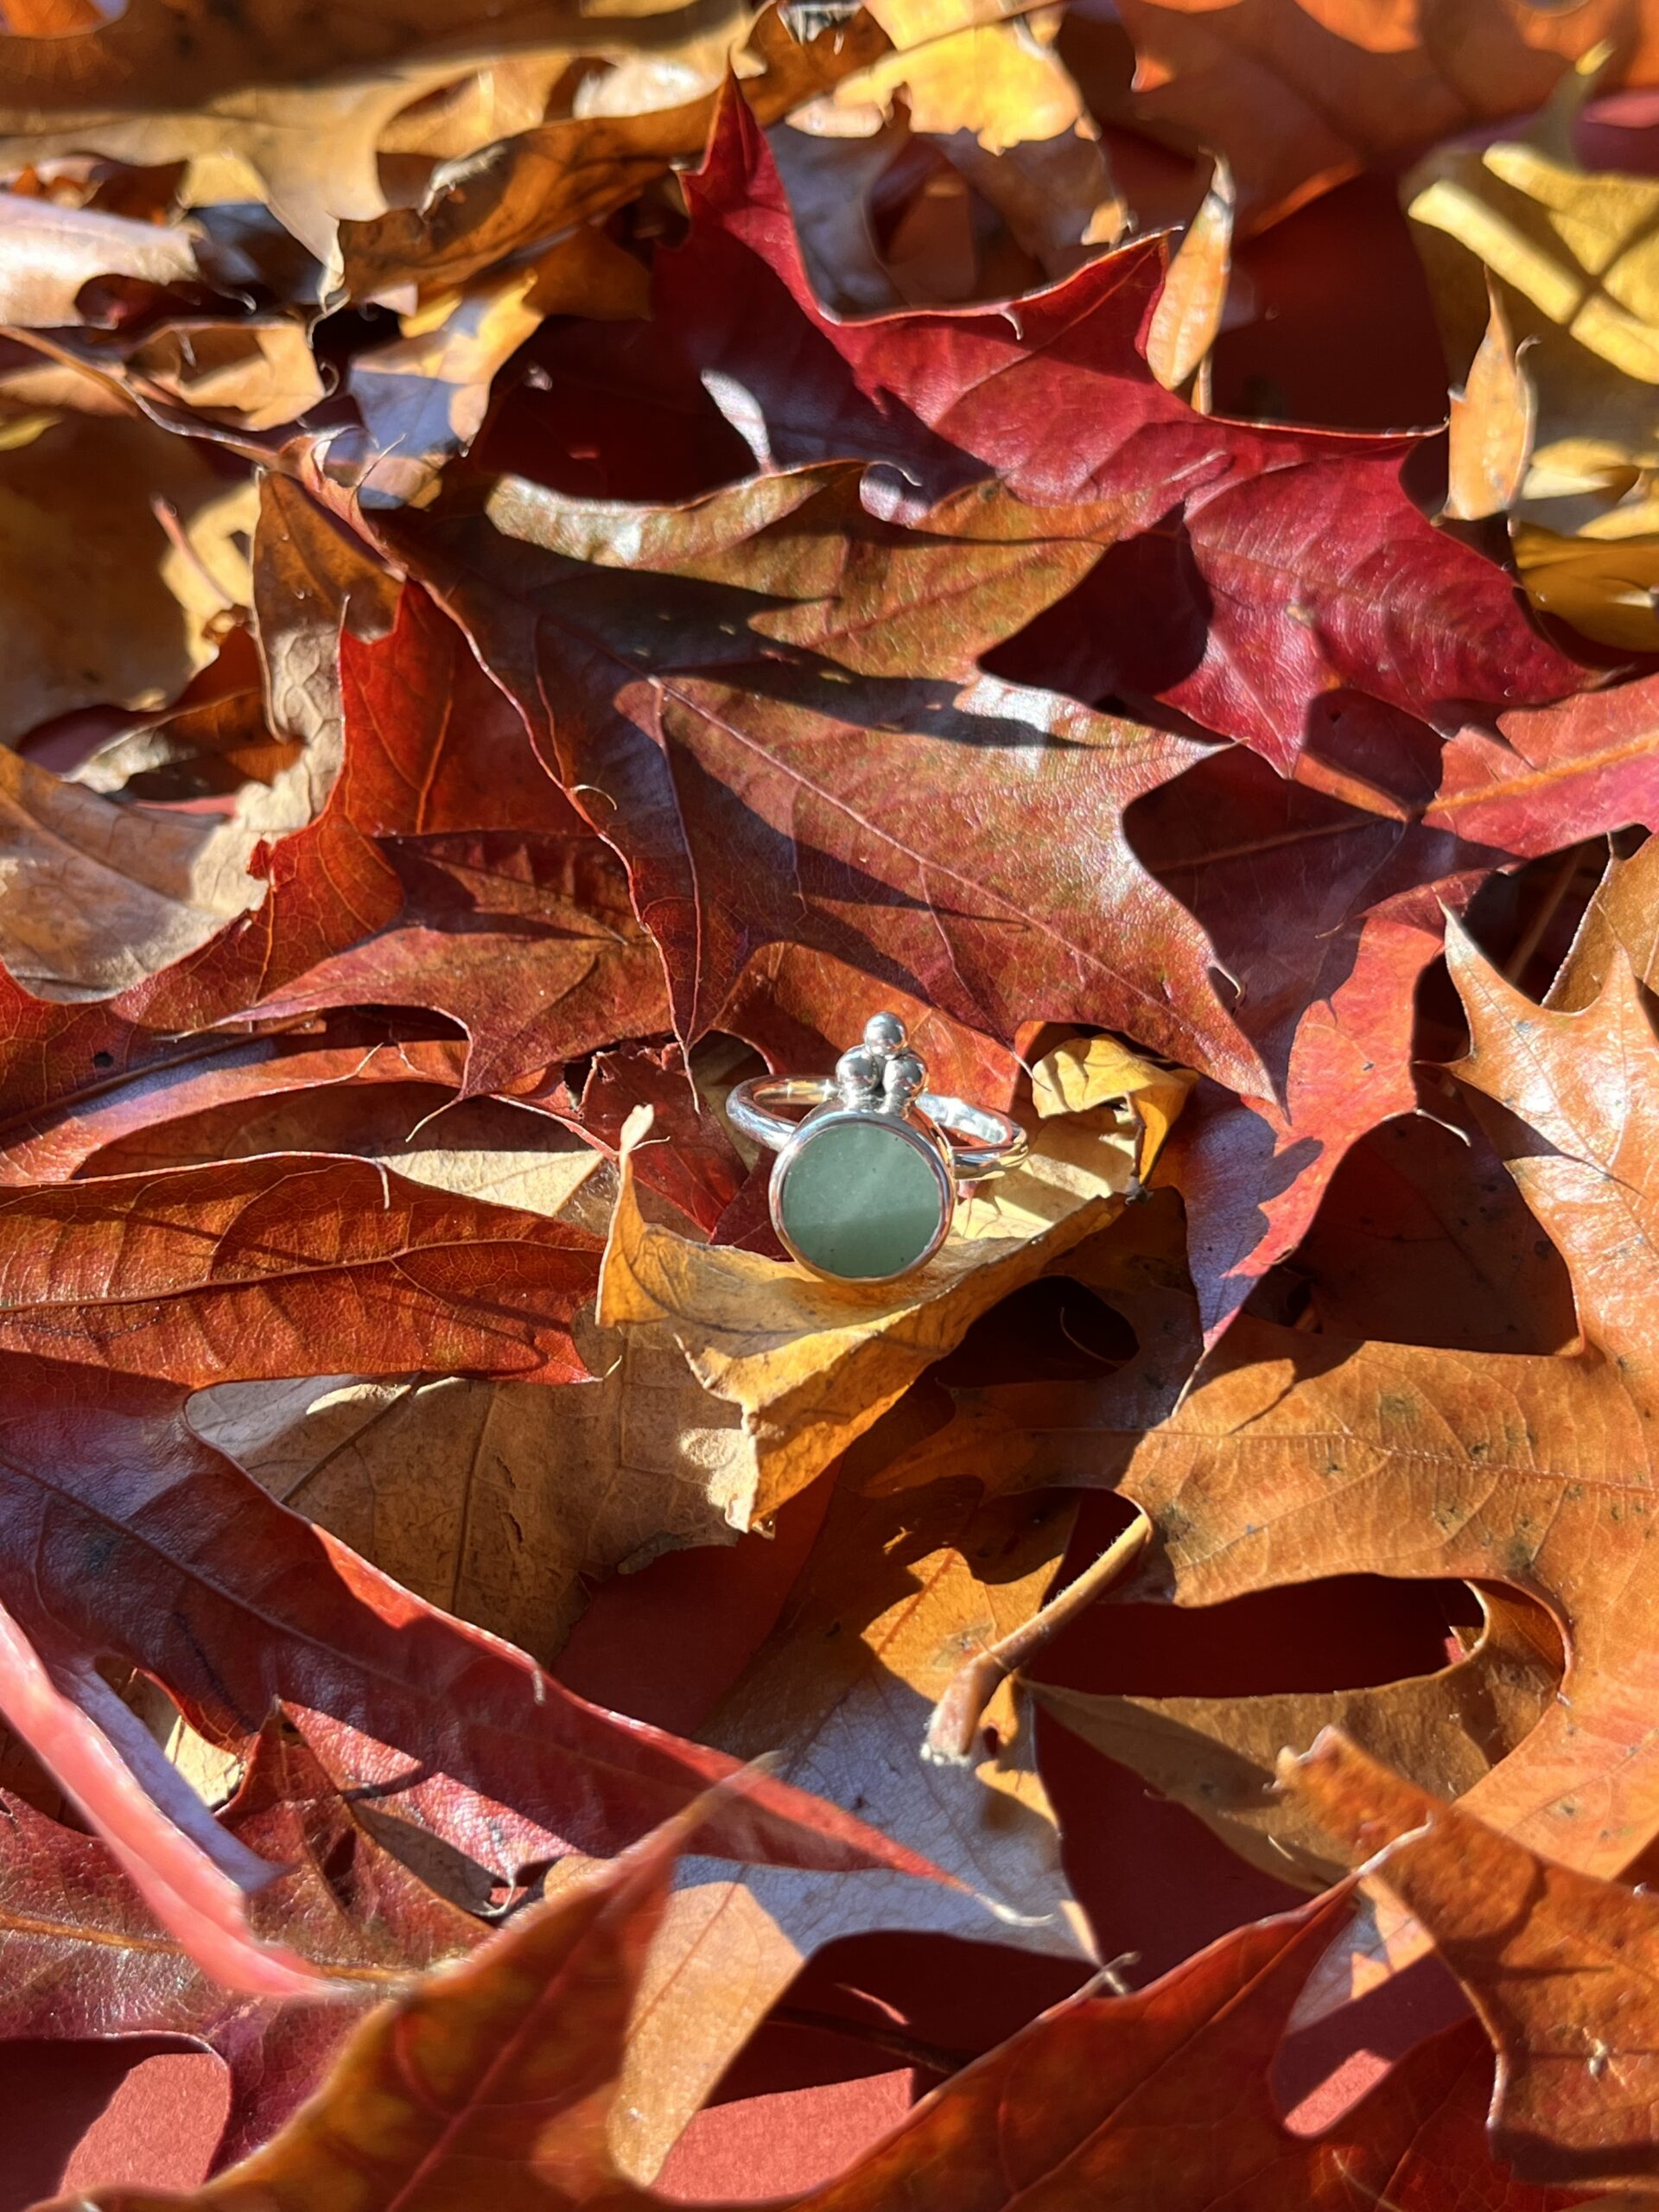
505	2065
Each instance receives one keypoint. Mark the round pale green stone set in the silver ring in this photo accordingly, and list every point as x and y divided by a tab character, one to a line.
862	1202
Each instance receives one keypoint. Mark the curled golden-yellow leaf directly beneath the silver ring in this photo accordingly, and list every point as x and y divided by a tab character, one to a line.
813	1366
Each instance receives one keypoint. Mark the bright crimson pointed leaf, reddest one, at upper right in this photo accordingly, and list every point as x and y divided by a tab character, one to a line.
1246	570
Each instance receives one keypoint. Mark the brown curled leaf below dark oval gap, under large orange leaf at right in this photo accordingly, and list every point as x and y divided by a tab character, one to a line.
1215	1755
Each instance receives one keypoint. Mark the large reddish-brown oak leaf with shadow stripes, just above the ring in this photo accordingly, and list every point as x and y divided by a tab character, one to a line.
760	691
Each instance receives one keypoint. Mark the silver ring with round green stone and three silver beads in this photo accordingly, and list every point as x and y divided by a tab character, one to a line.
866	1178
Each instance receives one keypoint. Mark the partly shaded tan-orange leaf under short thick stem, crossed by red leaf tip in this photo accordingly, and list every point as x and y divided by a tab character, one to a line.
895	1596
